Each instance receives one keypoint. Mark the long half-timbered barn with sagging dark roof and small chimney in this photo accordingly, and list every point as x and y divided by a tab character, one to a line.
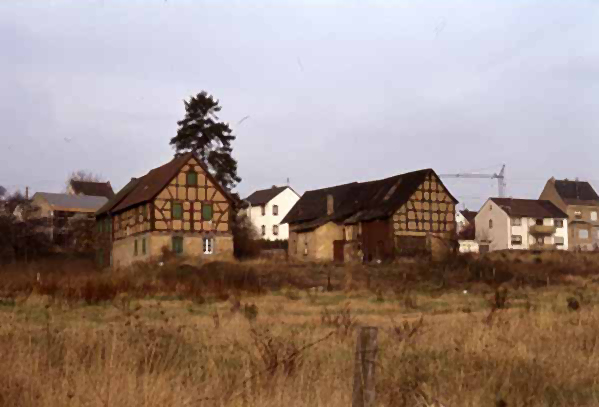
407	214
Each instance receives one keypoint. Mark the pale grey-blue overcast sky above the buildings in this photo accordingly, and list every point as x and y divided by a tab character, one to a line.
331	91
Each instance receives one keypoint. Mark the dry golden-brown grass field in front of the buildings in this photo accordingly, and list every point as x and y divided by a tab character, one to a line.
498	332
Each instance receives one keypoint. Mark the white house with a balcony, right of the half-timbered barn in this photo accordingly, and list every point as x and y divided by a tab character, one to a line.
524	224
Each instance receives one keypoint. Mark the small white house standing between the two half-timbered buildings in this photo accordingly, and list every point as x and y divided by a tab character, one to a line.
267	207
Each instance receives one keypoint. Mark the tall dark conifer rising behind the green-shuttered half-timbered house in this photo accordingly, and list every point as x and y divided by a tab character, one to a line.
201	132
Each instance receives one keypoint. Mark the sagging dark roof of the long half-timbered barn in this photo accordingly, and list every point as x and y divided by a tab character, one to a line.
357	201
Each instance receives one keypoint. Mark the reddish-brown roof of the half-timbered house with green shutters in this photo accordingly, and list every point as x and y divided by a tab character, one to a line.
150	185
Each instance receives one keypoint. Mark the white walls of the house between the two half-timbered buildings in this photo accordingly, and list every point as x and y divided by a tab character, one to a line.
285	201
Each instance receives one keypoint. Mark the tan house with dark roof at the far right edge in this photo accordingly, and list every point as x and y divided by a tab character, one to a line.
580	202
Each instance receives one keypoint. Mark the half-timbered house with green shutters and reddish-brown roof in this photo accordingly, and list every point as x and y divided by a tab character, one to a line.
178	206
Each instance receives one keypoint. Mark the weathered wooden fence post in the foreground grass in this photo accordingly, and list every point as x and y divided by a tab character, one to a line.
364	394
